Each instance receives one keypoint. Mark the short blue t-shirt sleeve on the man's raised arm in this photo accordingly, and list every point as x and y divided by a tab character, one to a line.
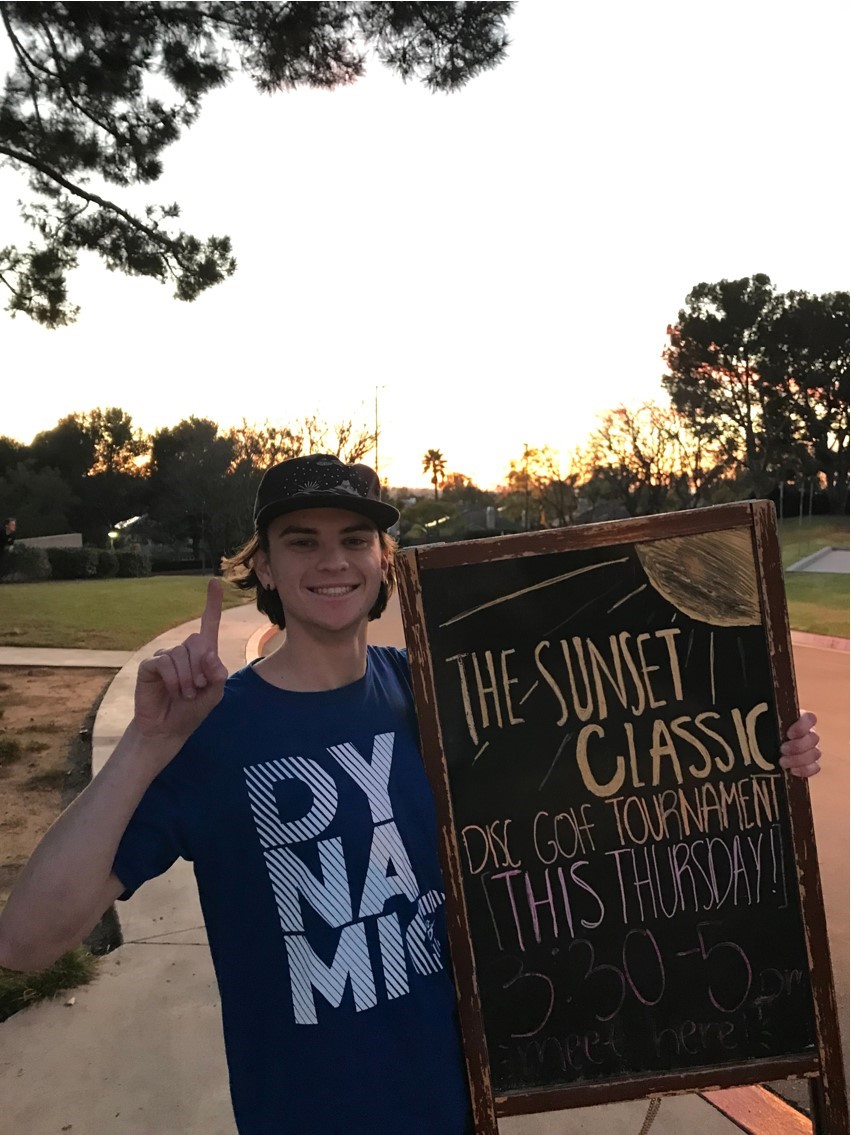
155	837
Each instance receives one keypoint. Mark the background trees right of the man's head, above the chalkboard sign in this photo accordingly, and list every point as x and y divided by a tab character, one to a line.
757	388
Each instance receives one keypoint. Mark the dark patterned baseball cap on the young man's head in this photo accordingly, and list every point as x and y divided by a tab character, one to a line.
321	481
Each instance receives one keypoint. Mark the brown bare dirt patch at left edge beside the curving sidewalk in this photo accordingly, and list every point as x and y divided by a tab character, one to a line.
47	717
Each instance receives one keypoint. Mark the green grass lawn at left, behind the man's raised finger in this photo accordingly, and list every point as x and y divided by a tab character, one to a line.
102	615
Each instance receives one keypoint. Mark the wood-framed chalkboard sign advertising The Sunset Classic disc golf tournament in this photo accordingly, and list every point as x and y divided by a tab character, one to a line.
601	712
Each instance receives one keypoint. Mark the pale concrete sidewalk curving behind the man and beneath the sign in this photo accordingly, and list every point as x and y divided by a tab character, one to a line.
140	1052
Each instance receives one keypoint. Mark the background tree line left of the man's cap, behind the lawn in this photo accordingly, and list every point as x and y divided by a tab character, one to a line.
189	489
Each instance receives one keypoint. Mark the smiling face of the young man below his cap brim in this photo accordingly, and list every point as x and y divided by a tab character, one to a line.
327	566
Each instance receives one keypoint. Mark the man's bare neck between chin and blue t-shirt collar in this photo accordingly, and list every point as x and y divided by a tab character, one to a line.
309	663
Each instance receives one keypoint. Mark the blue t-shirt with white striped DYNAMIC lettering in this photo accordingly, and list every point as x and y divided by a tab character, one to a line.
311	827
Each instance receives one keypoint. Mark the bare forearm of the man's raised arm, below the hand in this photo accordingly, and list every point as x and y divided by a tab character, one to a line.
68	885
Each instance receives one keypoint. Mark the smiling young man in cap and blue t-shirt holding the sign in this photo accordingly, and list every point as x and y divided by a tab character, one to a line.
298	791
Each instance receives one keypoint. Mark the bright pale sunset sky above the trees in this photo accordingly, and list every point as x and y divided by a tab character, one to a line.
490	270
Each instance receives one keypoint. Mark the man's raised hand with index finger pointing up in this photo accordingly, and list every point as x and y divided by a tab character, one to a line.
179	688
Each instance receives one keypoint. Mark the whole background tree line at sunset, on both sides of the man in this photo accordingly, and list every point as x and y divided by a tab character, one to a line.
759	407
